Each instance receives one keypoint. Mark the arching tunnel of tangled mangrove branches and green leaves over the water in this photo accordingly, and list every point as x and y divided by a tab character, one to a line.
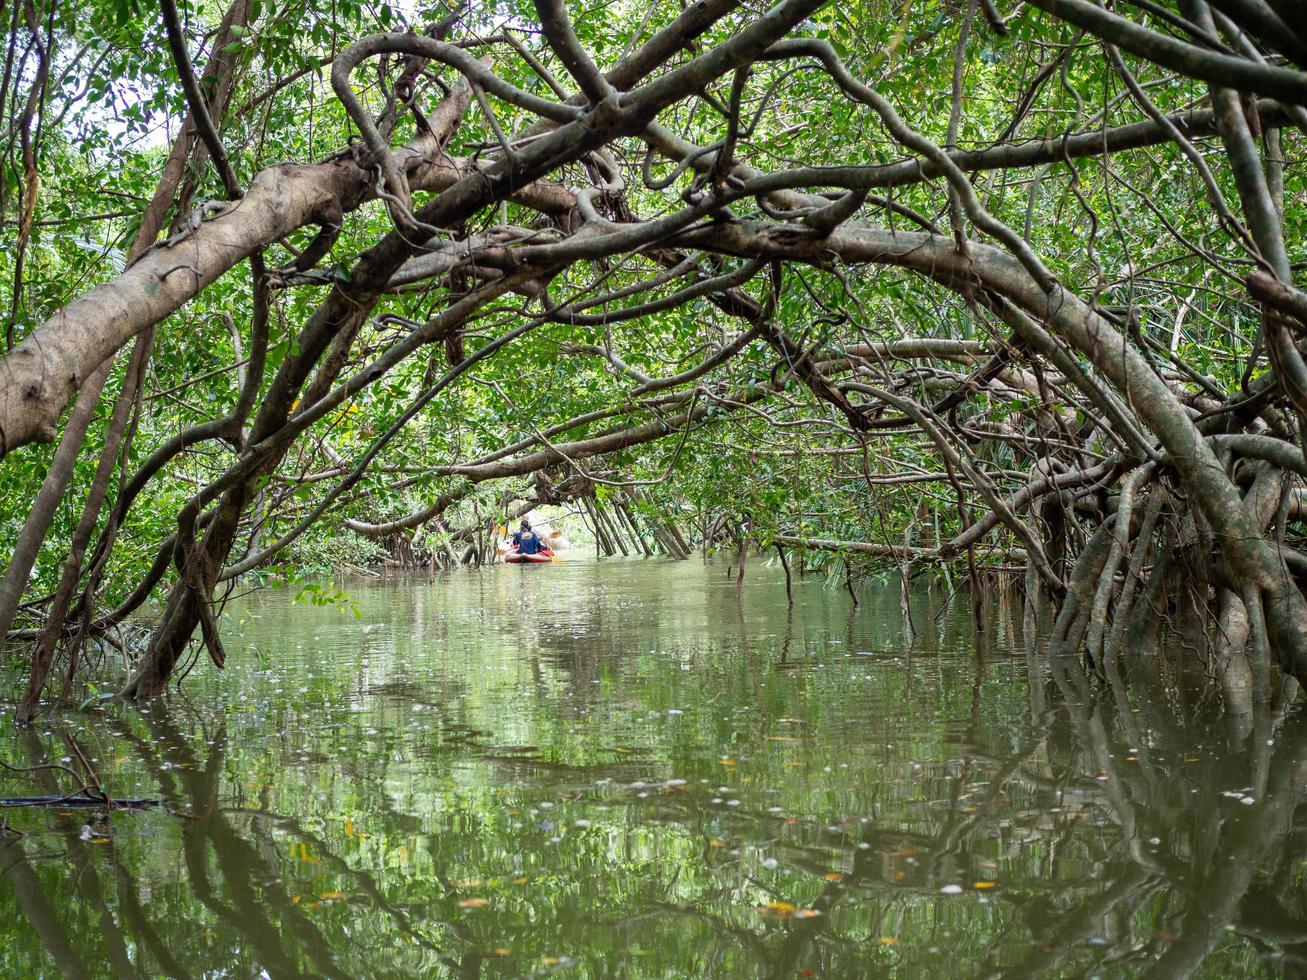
1001	292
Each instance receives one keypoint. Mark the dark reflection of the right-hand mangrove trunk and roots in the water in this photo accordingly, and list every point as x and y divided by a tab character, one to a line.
1211	850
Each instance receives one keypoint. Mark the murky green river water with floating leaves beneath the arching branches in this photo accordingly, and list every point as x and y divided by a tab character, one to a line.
614	770
